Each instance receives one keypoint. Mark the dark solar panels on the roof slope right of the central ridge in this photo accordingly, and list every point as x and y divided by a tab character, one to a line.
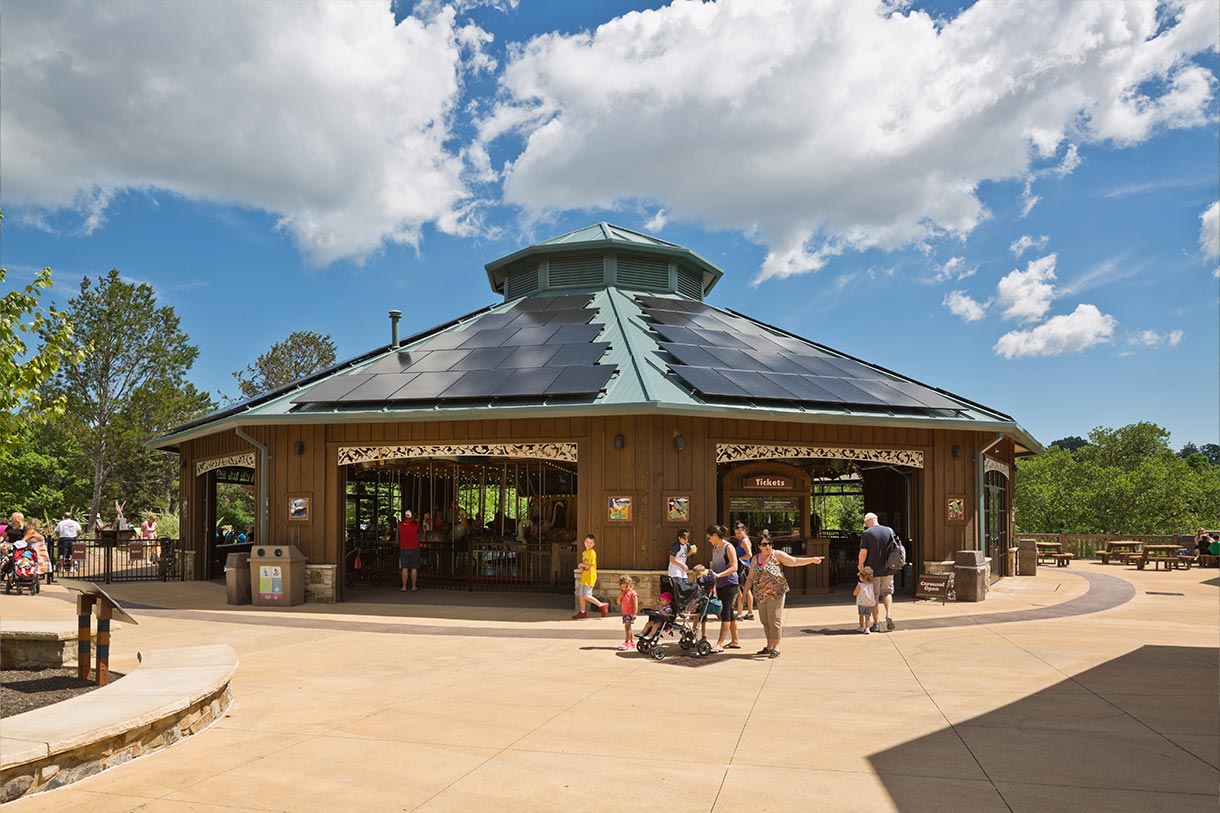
722	356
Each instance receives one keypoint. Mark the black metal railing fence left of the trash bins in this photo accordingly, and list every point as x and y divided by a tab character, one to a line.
109	561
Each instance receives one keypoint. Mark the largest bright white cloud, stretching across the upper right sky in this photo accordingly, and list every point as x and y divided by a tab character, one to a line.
827	128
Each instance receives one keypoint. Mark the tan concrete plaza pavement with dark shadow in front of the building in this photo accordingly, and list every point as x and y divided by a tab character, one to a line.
1082	689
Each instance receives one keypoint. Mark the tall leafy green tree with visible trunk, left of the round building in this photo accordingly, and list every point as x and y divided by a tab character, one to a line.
131	385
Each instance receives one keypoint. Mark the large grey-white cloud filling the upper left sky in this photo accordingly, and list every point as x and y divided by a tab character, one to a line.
328	115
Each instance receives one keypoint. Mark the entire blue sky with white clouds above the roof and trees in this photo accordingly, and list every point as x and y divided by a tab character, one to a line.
862	174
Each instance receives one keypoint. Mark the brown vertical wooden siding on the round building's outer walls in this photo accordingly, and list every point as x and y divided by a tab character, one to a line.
648	467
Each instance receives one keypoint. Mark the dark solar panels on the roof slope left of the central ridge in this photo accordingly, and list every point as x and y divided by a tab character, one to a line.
540	349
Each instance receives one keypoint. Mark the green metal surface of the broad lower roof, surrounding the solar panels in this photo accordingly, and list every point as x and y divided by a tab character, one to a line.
642	385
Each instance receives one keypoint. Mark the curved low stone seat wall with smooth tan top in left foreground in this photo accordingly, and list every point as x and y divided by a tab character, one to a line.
173	694
